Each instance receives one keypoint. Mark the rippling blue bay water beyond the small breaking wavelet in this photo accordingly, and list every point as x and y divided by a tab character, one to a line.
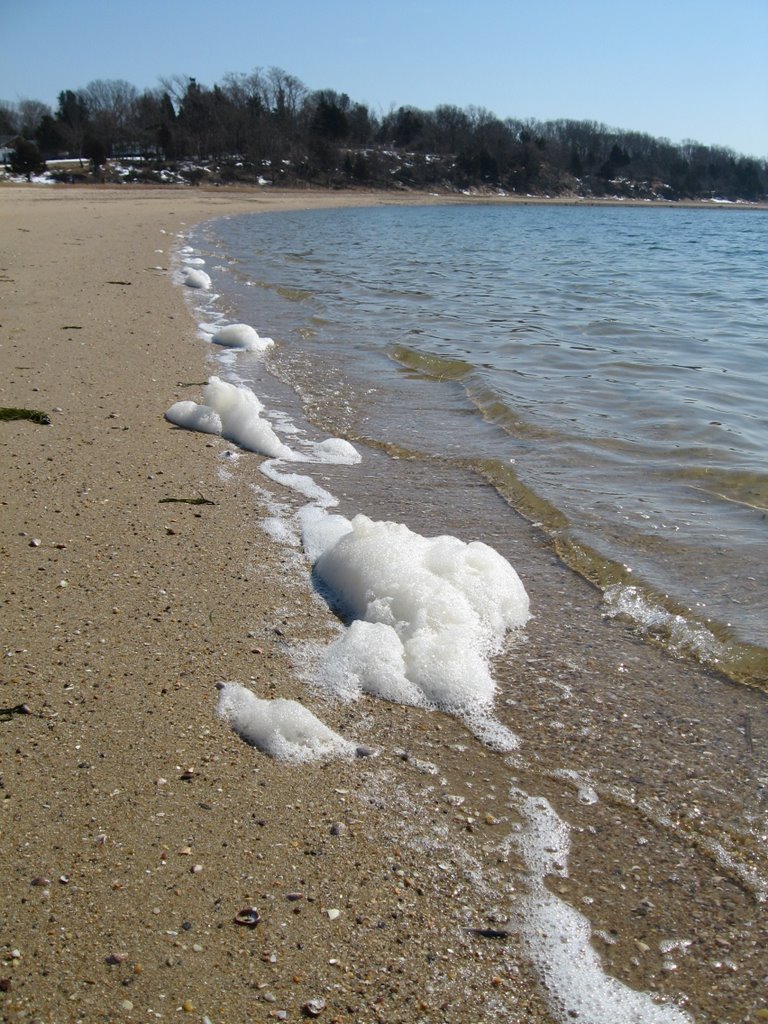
606	370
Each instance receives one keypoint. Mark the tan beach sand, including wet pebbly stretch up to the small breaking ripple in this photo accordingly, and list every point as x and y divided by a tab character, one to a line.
137	827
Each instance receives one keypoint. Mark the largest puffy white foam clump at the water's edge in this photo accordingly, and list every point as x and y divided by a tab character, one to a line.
428	613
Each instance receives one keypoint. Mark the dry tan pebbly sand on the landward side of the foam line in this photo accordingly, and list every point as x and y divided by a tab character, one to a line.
135	825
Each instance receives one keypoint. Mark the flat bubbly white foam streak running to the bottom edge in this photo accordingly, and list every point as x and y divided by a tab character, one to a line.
558	938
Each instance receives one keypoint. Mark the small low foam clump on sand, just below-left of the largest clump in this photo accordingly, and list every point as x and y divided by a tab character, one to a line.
283	730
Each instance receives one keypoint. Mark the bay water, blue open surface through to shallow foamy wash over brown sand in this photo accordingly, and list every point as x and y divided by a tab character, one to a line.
581	390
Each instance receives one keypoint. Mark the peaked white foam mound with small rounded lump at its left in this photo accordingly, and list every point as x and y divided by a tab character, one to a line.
235	412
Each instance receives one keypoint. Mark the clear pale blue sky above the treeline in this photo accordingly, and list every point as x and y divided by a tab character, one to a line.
679	69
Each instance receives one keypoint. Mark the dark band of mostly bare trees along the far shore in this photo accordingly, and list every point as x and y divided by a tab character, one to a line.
268	126
